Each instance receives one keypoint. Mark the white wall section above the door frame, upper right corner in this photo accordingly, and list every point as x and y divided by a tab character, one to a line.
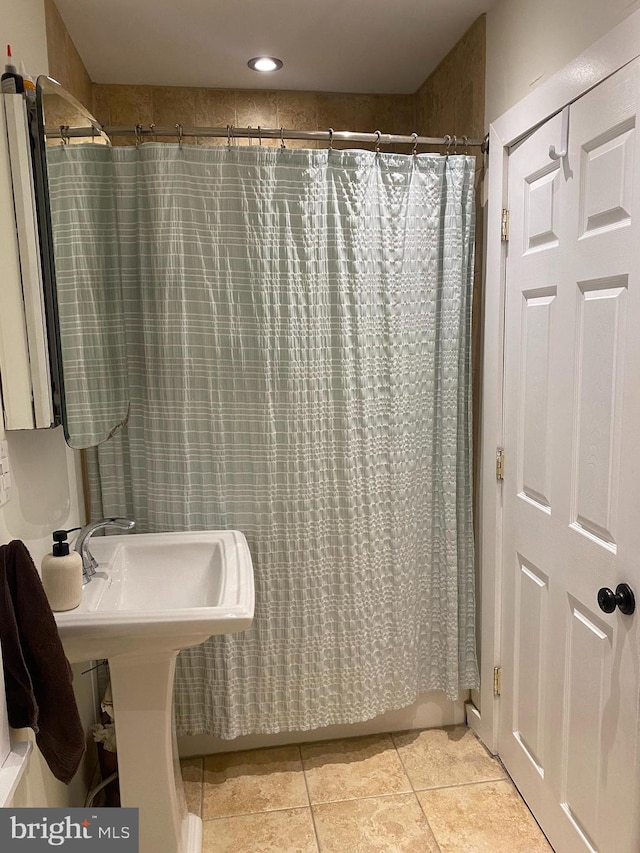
529	40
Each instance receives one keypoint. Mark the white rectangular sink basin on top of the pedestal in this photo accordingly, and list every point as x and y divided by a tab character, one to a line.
160	590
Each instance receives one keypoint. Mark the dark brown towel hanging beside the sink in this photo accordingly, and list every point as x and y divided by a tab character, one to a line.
37	674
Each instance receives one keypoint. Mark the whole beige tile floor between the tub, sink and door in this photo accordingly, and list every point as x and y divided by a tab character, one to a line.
431	791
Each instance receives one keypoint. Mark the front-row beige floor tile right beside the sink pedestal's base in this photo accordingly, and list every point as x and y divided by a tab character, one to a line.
289	831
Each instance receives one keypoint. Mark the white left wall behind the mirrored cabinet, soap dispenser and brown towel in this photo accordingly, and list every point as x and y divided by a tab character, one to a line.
47	493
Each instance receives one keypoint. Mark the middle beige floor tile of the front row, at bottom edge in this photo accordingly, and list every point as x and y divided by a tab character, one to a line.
394	824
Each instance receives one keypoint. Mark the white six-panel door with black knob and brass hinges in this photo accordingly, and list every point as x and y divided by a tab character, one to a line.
569	722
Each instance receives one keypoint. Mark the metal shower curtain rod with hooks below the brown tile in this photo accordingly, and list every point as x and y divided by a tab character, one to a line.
233	133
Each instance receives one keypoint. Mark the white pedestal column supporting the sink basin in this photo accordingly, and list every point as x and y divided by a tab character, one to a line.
148	765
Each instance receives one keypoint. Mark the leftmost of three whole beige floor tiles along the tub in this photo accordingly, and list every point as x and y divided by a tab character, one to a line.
257	780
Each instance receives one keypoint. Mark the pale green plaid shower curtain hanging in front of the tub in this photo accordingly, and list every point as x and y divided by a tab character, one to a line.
297	327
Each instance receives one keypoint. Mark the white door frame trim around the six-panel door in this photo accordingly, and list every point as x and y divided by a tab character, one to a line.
606	56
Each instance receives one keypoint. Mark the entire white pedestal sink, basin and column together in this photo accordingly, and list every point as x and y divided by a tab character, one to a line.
153	595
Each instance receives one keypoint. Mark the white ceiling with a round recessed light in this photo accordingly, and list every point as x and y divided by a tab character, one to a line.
368	46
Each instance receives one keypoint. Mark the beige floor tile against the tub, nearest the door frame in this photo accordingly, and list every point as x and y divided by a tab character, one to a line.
435	758
